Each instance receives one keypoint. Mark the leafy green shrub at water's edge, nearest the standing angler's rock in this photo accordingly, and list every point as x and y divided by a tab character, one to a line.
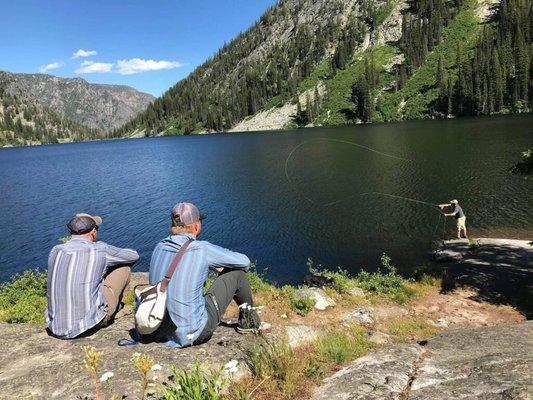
388	284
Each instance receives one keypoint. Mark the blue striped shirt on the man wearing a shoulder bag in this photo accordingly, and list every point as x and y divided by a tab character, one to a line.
185	298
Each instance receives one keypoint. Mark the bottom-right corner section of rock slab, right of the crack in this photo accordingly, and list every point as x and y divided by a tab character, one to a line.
479	363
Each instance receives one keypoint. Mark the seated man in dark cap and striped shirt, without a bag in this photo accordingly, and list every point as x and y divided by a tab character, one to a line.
86	280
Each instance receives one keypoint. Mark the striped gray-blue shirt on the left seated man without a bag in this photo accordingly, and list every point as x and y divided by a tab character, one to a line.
76	272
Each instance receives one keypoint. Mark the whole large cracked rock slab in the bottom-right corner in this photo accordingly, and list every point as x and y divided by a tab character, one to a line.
480	363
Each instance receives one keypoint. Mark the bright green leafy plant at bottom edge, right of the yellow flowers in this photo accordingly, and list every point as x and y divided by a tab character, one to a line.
198	385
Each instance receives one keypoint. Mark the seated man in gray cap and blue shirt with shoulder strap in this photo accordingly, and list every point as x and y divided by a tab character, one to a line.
192	317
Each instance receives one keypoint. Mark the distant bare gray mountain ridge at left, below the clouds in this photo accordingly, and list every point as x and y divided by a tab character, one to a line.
102	107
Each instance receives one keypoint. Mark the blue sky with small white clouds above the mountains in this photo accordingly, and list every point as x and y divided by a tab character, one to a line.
147	44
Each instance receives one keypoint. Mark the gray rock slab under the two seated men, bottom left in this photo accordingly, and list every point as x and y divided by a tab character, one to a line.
36	366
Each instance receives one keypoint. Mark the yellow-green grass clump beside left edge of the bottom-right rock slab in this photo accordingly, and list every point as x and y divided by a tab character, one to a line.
342	346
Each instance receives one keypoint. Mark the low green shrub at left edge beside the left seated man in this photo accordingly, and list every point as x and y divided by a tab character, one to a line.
23	298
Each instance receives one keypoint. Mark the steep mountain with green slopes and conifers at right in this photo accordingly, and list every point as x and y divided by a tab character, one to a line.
332	62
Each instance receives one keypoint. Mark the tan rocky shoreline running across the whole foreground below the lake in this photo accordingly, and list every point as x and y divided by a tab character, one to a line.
478	354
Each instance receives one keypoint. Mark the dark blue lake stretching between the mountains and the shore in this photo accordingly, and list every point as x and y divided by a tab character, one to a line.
279	197
